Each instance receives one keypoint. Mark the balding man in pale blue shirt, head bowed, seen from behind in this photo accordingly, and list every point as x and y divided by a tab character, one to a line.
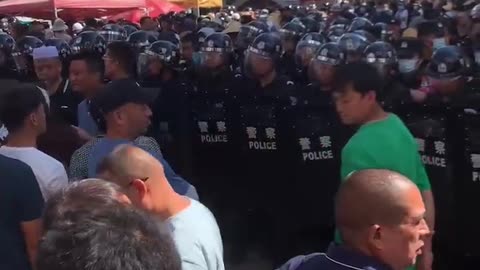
194	228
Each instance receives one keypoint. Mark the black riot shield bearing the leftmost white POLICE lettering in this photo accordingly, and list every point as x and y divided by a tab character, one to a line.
214	126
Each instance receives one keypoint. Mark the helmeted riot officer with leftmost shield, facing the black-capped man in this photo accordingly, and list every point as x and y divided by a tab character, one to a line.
159	69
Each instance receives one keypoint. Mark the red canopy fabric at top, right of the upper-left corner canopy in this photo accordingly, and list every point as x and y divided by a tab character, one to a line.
154	9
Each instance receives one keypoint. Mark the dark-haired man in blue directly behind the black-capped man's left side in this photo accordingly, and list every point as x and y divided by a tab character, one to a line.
86	76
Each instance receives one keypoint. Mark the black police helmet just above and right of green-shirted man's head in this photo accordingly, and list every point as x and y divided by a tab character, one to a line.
380	52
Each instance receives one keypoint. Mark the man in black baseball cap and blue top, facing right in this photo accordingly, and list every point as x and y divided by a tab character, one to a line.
125	116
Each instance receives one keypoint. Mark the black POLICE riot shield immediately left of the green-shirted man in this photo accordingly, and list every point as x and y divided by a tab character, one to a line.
314	147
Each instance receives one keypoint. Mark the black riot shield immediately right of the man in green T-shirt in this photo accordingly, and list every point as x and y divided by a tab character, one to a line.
432	129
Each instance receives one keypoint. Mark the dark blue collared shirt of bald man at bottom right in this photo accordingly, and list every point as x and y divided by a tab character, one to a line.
339	257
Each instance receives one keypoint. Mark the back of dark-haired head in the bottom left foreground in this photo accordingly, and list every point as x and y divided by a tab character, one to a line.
84	233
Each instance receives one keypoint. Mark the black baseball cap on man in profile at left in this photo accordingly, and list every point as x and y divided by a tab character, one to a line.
120	92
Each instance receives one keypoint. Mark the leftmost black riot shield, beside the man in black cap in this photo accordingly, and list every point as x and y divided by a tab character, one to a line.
171	129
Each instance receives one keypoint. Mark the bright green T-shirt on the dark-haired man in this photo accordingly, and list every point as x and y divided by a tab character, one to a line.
385	144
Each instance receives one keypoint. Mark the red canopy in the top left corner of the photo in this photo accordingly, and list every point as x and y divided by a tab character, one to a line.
68	8
